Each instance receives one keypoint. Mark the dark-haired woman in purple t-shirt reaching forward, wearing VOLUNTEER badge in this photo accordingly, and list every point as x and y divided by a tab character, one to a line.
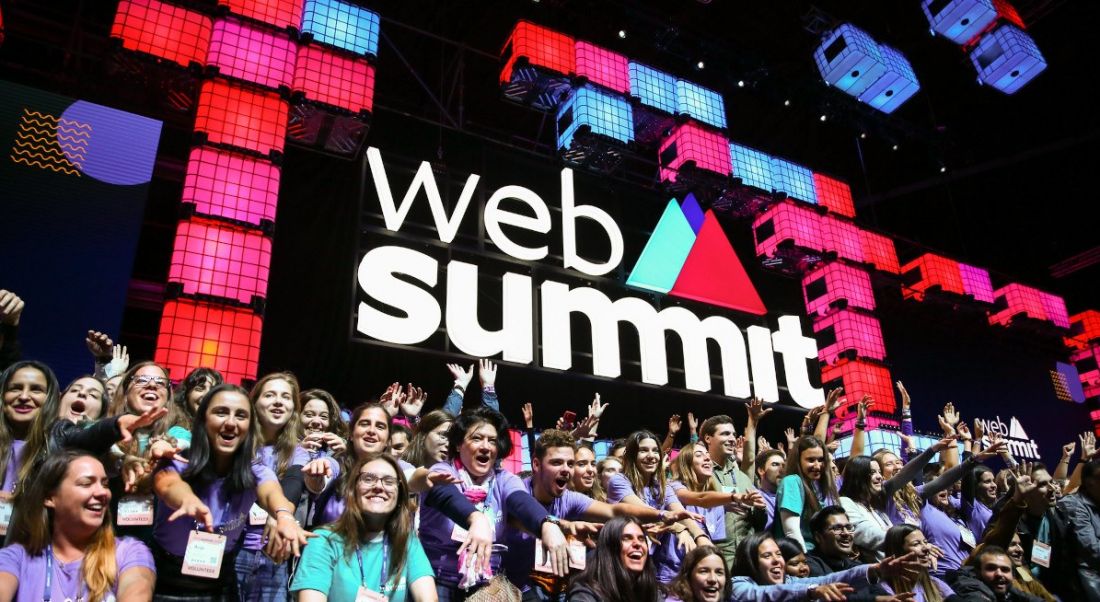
215	492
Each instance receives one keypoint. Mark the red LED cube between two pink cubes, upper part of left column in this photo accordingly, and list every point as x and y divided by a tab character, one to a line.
233	115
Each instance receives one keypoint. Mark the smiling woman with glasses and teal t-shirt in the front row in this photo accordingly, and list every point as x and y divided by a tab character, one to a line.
372	546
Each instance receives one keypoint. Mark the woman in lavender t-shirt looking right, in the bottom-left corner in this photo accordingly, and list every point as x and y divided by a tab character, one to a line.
61	543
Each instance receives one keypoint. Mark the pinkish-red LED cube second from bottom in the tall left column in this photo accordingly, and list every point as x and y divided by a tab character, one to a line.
216	259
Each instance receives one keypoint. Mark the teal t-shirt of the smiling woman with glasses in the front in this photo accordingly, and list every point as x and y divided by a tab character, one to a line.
326	568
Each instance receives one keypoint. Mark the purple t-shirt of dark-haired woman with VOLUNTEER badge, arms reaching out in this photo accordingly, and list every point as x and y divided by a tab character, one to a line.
230	511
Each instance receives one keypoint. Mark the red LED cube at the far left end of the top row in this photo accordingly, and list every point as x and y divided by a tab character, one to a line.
163	30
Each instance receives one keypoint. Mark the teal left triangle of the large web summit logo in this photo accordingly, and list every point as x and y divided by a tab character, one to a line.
666	253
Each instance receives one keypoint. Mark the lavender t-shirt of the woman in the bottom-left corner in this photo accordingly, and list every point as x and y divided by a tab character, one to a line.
68	579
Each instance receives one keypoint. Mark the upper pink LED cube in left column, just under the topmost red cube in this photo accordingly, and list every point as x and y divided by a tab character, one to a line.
256	56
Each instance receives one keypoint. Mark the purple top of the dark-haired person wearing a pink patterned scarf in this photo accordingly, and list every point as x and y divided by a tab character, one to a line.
436	528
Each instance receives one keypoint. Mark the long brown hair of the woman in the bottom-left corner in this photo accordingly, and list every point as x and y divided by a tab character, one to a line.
32	526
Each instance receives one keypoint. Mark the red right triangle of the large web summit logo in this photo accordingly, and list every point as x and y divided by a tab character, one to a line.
713	273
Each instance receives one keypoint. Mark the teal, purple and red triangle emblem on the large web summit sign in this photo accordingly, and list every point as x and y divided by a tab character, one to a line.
690	257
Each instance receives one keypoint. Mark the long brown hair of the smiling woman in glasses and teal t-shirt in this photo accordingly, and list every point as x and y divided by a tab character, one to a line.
353	527
